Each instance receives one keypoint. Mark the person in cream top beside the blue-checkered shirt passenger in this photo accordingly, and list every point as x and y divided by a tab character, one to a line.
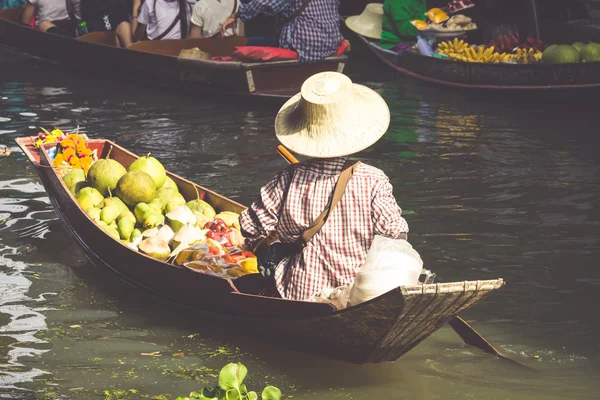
208	17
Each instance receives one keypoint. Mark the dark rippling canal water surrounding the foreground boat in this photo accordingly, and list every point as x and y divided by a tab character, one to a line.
490	187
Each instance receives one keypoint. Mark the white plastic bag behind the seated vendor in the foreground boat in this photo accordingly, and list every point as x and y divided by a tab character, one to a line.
390	263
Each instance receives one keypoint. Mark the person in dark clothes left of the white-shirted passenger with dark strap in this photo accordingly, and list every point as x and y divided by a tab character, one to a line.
109	15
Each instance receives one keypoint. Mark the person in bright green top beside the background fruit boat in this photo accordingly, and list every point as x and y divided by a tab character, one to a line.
398	33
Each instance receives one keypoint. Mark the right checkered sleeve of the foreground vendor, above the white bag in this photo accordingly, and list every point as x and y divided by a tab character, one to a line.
387	215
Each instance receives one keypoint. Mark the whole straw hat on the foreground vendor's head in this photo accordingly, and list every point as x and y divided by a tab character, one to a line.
332	117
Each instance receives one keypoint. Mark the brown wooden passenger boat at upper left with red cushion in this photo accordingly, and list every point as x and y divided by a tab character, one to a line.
158	62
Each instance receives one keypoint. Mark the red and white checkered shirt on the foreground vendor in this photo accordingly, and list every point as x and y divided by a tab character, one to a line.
335	254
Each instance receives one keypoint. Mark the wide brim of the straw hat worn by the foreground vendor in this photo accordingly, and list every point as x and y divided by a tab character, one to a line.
365	121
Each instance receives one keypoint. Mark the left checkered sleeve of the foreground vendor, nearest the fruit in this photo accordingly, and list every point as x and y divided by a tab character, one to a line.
262	217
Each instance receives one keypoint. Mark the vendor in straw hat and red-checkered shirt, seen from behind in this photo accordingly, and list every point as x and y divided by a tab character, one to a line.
329	120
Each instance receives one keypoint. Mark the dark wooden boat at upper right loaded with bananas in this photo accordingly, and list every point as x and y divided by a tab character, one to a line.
540	78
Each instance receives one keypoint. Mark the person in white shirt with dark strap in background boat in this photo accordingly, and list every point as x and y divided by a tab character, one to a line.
164	19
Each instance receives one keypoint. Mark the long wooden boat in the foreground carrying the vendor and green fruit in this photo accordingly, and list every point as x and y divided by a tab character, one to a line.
379	330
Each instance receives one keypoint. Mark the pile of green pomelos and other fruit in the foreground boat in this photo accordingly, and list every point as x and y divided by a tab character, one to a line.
143	208
